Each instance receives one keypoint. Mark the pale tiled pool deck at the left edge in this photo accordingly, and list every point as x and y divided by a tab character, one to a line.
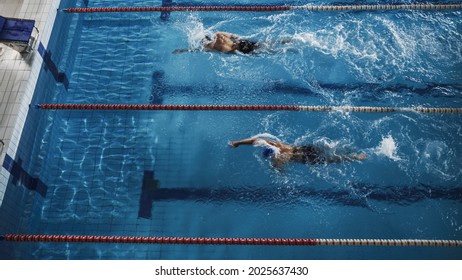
19	74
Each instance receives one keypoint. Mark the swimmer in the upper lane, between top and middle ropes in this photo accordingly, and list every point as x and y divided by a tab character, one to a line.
225	43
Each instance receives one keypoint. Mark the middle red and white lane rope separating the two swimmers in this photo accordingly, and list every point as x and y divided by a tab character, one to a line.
160	107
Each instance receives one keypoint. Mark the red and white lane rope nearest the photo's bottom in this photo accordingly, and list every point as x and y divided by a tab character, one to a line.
230	241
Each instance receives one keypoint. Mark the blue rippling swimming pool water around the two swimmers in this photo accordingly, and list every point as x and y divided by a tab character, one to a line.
94	163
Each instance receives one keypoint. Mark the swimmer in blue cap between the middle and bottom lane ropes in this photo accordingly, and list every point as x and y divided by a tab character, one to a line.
281	154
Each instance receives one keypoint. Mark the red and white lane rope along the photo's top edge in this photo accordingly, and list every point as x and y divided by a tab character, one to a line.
265	8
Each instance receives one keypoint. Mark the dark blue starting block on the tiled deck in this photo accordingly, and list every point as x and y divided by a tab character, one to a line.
17	33
